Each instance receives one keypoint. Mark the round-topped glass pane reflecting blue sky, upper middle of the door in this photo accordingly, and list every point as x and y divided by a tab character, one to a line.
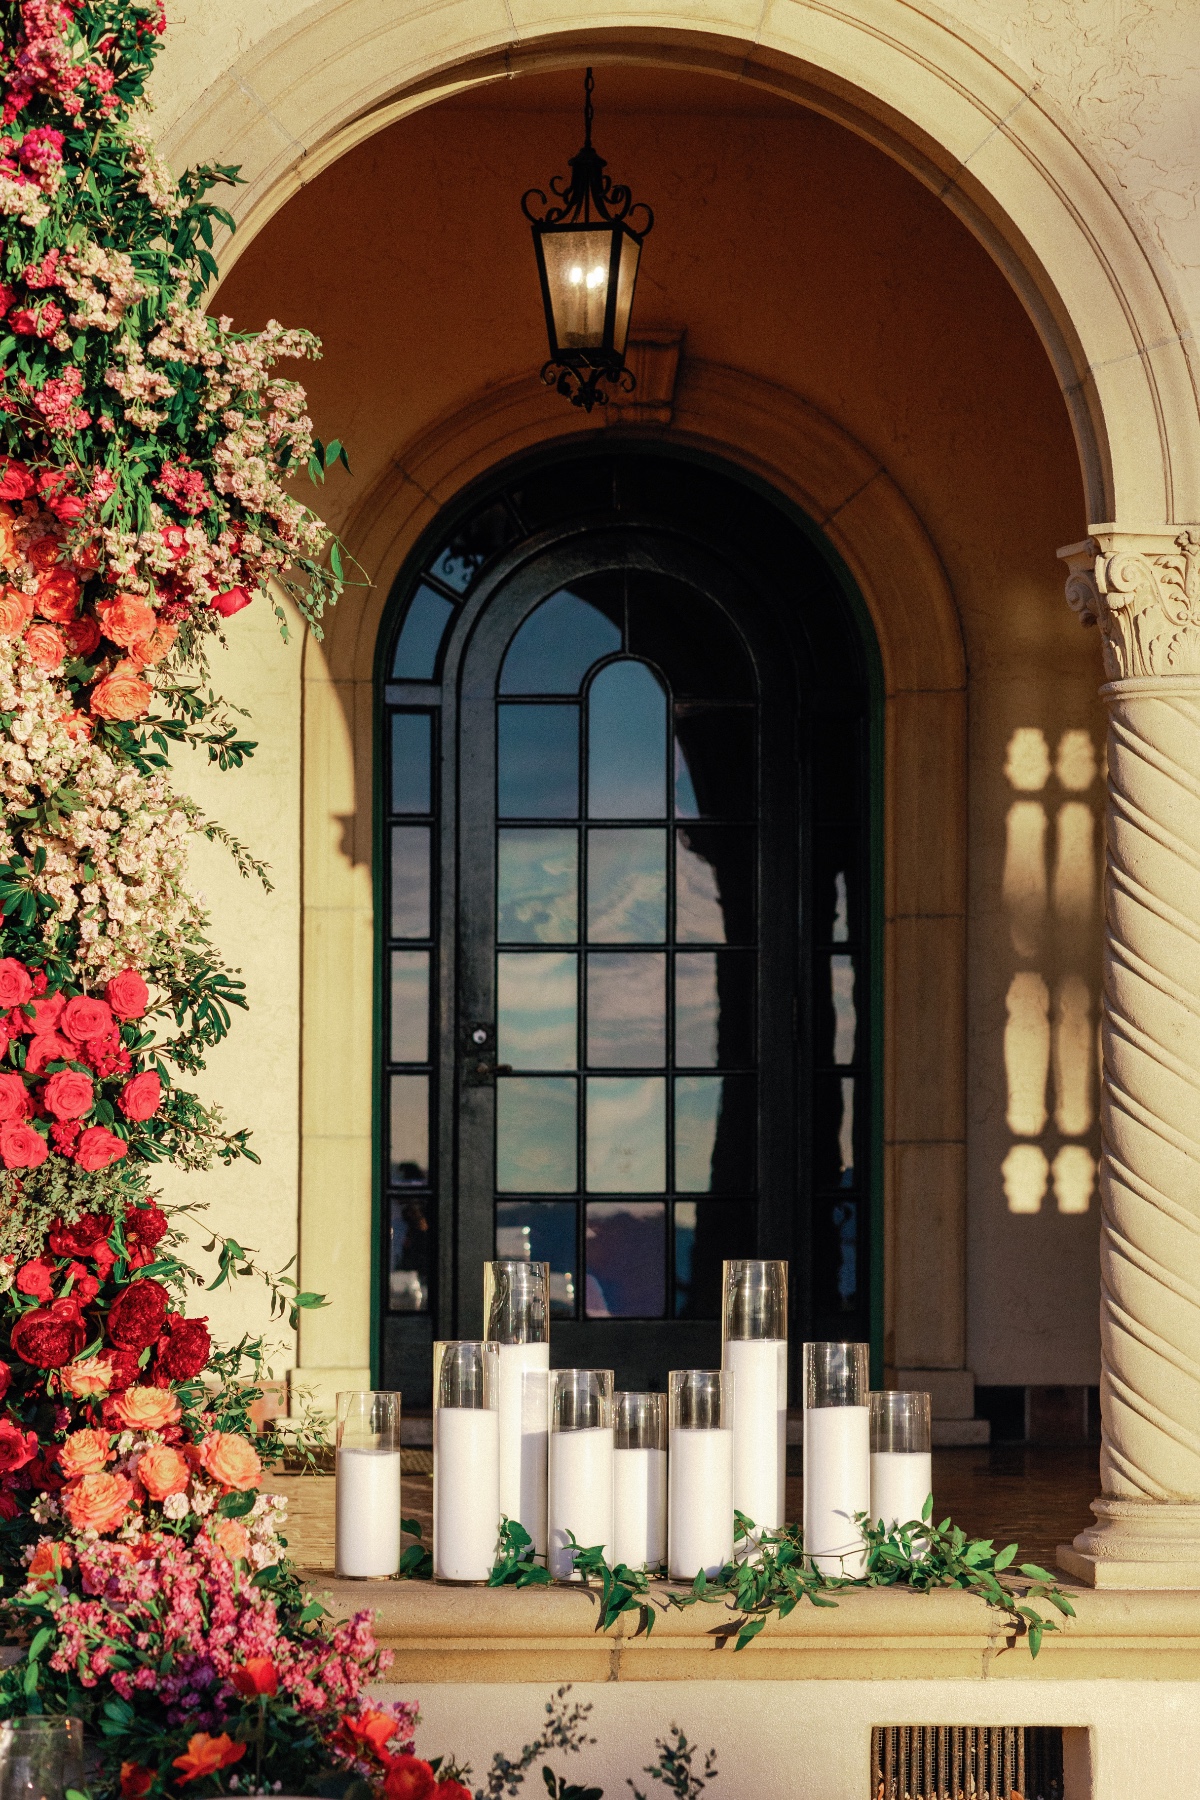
627	744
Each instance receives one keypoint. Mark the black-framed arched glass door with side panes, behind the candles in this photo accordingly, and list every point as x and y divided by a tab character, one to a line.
629	913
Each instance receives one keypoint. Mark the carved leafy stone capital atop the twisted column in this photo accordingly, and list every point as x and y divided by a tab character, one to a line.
1143	591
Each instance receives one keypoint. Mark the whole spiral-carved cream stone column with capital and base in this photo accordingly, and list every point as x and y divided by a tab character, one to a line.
1143	593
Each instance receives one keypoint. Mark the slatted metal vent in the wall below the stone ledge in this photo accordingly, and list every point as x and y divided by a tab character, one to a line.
967	1763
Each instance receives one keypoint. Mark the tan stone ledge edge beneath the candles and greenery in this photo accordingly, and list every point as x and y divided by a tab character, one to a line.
488	1635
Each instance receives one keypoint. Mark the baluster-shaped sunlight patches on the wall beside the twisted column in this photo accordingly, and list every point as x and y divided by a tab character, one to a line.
1052	895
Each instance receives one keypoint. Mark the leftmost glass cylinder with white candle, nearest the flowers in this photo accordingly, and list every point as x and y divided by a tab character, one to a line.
368	1484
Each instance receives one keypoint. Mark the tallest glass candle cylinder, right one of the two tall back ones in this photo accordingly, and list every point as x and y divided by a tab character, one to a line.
755	1347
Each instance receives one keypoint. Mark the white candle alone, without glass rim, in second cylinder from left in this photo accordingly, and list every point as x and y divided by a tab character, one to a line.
467	1491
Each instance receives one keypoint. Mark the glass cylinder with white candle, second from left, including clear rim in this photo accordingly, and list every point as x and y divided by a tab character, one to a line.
467	1459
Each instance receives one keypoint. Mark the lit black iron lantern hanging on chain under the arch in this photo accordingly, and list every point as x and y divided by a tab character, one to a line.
587	262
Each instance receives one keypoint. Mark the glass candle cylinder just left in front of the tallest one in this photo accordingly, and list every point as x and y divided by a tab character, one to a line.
701	1471
